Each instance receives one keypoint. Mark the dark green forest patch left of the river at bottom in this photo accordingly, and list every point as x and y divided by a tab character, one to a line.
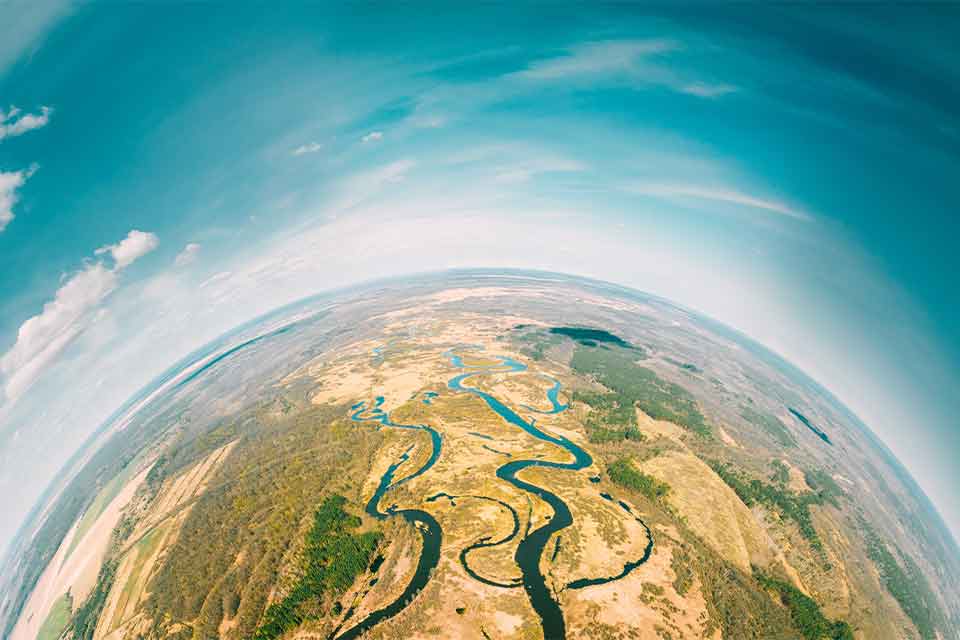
333	558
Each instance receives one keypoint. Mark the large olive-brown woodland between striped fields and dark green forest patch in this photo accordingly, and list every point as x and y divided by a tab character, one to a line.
229	555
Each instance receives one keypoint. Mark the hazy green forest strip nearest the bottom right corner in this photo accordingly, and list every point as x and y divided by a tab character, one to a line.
907	584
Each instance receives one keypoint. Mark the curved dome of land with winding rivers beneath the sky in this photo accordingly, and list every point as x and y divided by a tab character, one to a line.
484	455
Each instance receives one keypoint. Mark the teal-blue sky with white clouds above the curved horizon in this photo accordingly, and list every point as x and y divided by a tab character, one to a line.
168	172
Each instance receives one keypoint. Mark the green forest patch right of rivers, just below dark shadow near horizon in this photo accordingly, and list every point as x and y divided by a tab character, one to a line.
632	385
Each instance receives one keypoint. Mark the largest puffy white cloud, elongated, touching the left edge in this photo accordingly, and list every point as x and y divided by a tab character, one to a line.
74	309
